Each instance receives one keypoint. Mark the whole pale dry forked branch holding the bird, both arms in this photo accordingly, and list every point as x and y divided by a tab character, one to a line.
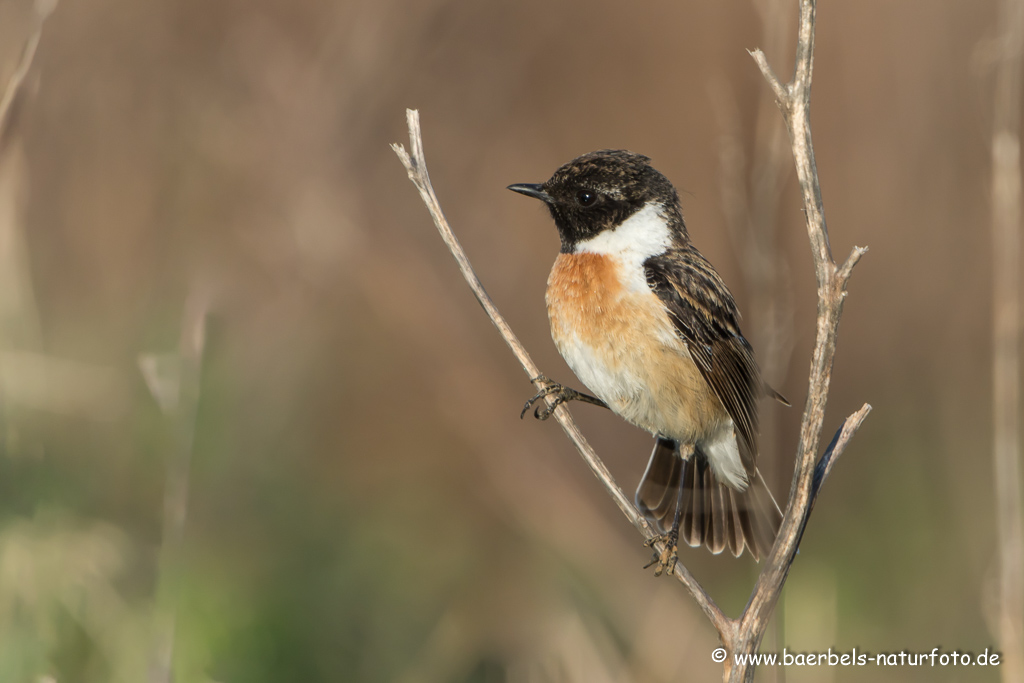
743	635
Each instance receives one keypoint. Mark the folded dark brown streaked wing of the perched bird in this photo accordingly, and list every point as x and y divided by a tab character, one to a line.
706	318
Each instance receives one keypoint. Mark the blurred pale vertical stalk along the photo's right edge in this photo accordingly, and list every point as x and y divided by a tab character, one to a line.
1007	214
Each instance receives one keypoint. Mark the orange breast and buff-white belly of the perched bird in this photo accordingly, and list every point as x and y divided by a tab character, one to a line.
618	338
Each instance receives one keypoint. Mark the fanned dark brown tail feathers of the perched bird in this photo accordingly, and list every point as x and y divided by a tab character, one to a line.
713	515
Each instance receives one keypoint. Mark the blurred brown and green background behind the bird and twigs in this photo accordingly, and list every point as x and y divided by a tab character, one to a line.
255	428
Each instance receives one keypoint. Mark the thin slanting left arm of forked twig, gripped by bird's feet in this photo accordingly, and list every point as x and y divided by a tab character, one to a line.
416	165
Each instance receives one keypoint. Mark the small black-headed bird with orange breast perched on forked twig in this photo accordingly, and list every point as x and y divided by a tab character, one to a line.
649	326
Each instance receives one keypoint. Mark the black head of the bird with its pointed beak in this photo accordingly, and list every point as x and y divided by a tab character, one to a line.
599	191
